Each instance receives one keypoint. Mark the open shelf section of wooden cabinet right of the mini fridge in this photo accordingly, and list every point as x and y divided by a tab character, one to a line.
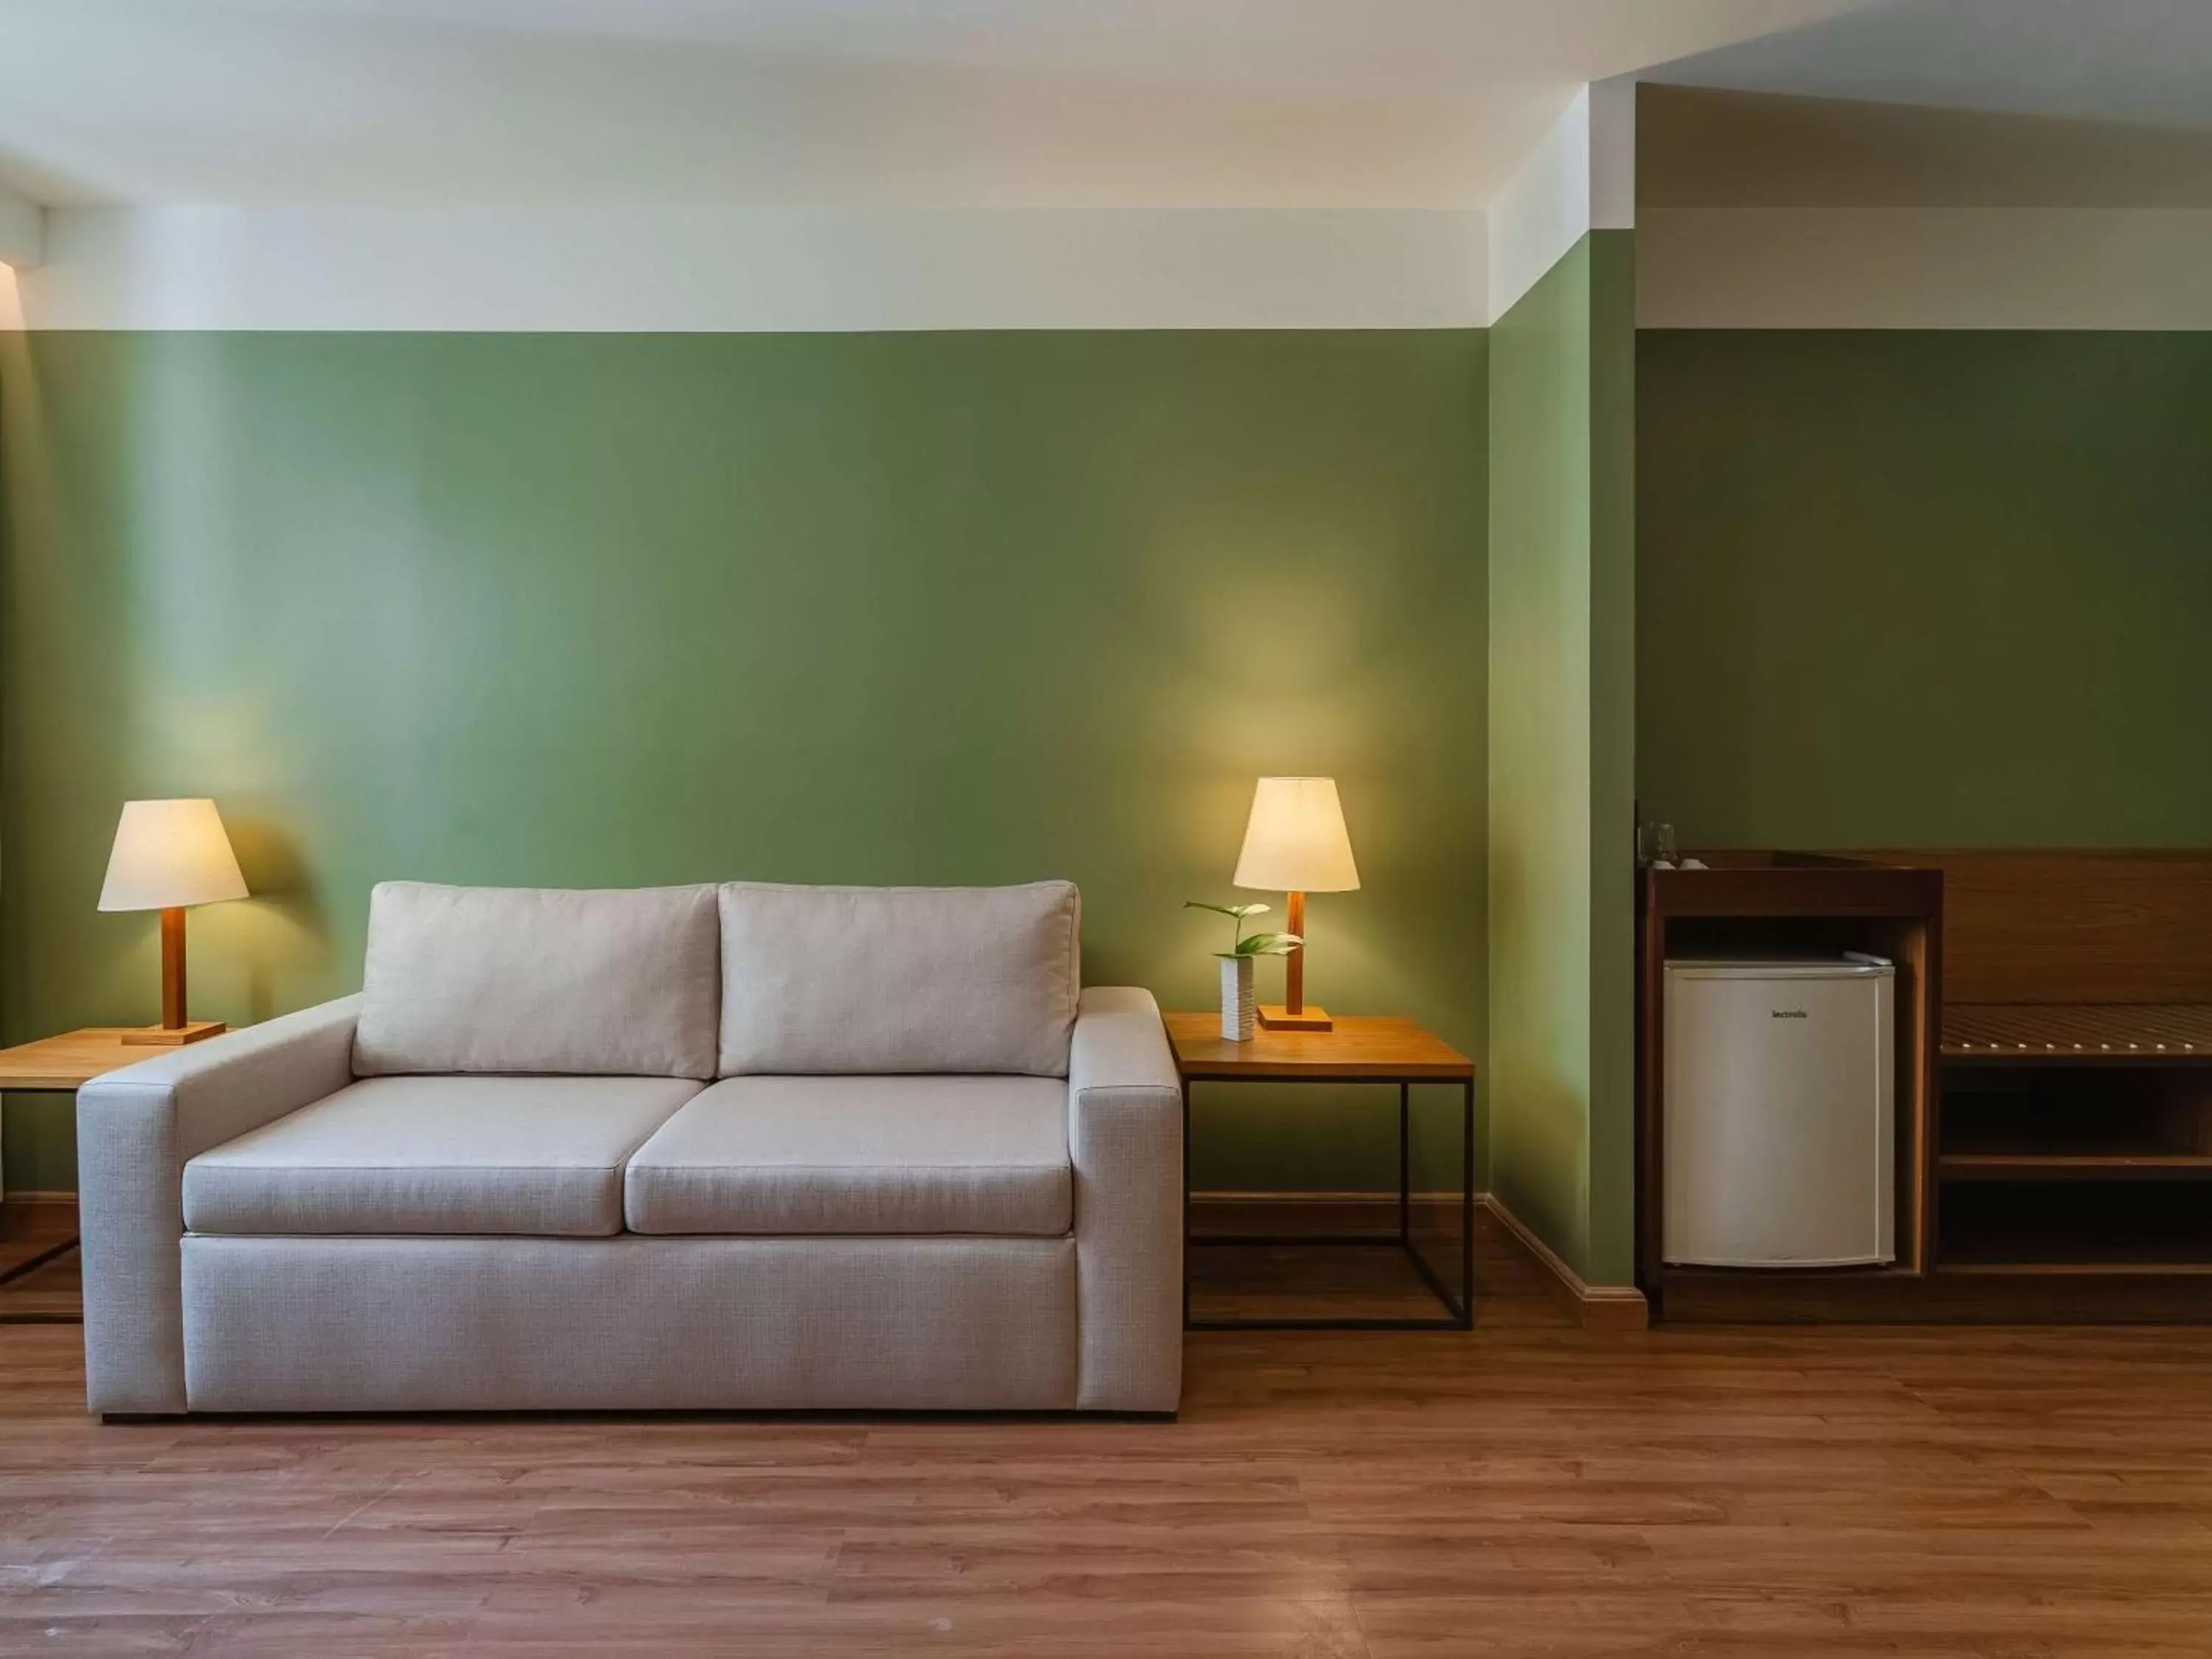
2076	1134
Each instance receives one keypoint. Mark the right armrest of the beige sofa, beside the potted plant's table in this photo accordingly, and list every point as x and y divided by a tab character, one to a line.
1127	1147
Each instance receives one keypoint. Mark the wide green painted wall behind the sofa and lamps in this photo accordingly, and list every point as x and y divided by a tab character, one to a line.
835	607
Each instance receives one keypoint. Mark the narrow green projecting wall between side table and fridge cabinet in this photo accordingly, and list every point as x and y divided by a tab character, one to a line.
1563	755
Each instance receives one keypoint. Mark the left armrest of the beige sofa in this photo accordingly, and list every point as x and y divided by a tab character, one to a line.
136	1129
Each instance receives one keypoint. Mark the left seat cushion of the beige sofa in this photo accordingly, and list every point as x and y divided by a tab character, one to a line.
441	1156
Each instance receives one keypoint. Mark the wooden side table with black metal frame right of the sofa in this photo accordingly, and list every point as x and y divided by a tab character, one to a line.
1357	1052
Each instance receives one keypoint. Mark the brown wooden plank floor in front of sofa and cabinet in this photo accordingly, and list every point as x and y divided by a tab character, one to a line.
1523	1490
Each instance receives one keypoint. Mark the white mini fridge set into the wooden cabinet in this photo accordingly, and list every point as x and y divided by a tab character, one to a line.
1780	1114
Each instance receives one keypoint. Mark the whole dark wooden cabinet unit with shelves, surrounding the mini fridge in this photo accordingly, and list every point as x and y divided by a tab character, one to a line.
2056	1154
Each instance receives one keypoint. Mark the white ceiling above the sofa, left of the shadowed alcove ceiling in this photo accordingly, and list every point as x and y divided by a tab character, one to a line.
822	103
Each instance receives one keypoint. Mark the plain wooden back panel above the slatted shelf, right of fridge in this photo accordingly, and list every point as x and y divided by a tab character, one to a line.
2074	926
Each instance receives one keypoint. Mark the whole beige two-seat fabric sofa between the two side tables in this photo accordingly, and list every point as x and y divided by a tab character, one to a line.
687	1147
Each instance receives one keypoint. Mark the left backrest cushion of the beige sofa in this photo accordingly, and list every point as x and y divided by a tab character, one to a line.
539	981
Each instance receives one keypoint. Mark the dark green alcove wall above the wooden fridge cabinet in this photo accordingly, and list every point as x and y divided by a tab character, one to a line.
1926	587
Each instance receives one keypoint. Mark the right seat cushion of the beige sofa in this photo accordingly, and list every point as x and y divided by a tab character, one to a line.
795	1156
